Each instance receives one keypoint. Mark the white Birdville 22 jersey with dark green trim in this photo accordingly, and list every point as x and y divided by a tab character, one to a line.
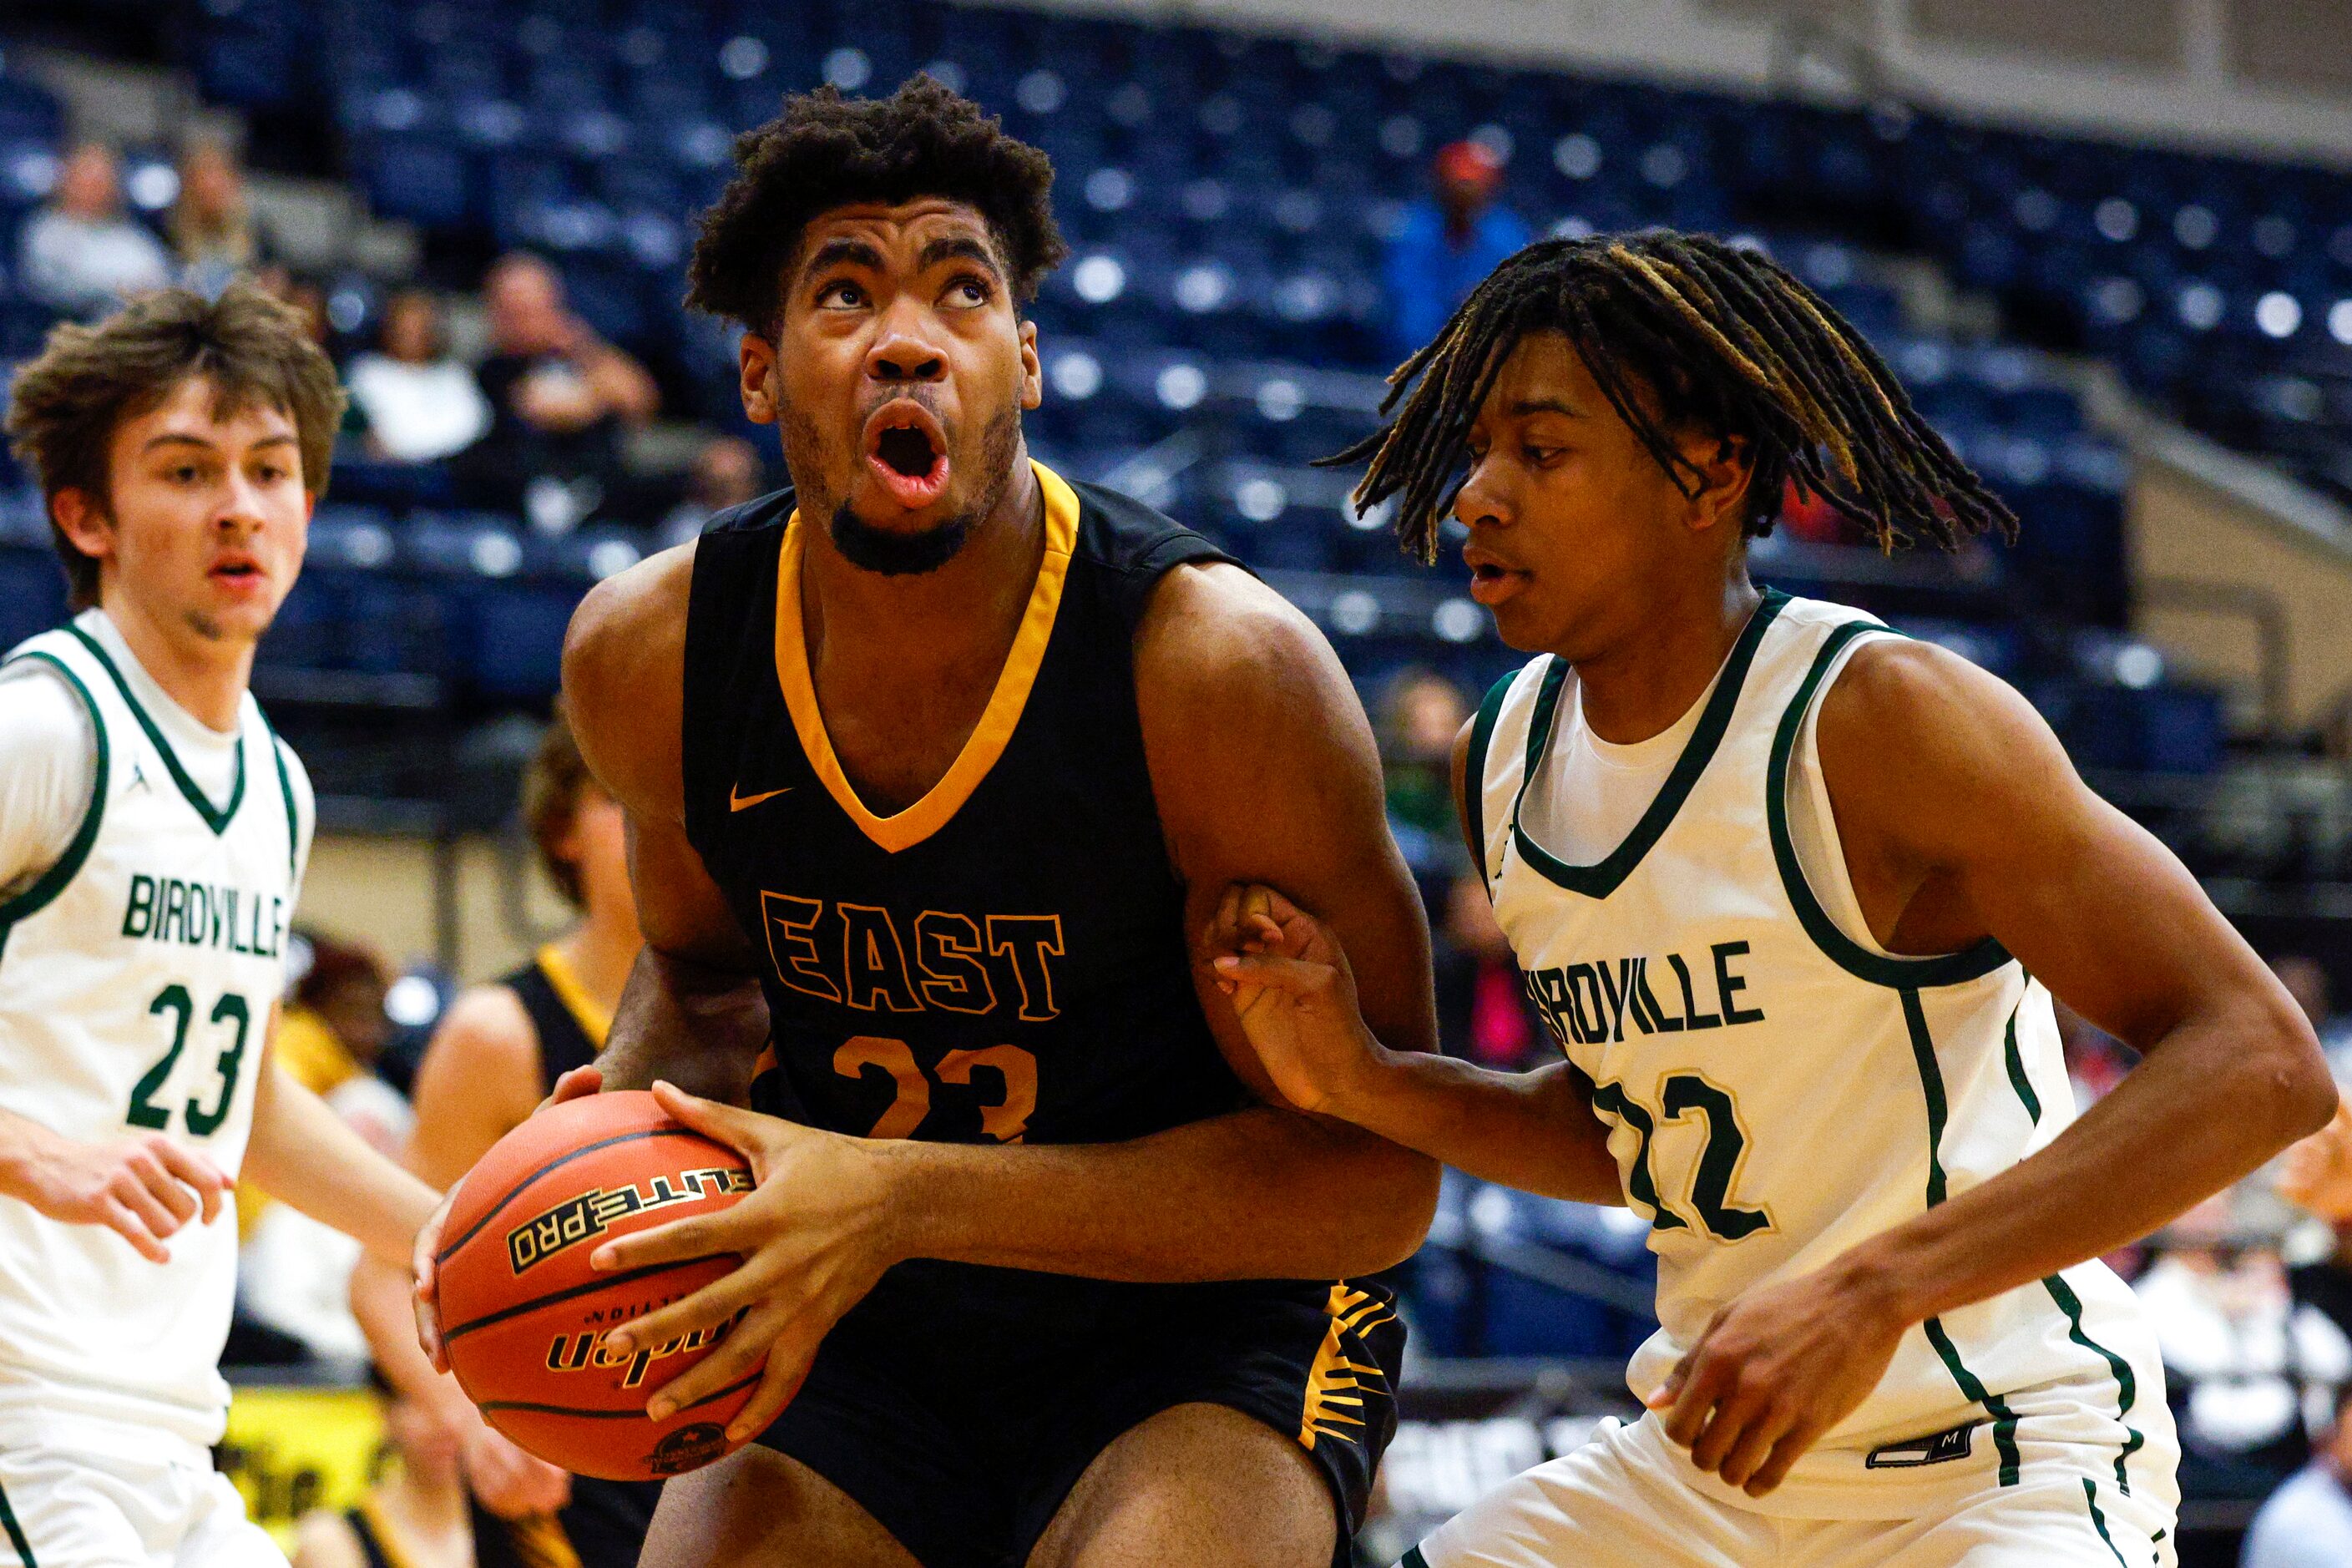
1779	1092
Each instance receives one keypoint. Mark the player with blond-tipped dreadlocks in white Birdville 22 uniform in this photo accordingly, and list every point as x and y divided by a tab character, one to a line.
1796	897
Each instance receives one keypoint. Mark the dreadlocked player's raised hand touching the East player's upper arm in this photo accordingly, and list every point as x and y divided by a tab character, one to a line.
1295	996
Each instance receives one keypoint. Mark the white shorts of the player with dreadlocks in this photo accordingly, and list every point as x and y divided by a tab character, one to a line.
1622	1503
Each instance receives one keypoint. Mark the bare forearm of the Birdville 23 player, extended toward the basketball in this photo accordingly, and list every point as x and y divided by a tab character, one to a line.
309	1158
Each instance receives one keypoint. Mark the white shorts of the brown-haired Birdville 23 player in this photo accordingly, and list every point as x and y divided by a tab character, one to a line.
81	1510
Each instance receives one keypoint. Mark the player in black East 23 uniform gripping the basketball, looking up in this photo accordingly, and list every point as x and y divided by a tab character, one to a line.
930	770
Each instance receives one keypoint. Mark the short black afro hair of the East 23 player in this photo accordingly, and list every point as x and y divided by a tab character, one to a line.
829	152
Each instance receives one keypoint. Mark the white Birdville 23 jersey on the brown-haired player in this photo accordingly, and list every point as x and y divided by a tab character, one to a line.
138	981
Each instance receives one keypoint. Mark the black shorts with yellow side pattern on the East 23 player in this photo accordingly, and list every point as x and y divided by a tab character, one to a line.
961	1405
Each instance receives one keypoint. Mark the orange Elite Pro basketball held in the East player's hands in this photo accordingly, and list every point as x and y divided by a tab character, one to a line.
523	1315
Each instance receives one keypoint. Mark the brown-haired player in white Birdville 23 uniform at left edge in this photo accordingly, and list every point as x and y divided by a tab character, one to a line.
154	836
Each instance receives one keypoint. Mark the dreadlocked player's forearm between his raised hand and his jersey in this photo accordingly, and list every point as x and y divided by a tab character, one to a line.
1523	1130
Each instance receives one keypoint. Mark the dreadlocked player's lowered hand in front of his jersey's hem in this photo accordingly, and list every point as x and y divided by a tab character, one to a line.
1775	1372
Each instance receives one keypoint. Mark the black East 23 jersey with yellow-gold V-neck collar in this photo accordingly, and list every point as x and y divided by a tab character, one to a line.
1005	958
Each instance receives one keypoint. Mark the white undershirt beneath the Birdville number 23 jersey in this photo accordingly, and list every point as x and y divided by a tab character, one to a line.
51	753
